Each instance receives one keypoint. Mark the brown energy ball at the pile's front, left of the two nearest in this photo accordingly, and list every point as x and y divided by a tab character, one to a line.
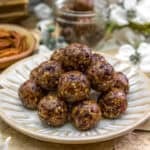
52	110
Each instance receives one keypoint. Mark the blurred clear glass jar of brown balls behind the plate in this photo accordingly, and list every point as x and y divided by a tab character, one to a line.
81	22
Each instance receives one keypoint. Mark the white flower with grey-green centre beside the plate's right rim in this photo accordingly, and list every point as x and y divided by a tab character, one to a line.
139	56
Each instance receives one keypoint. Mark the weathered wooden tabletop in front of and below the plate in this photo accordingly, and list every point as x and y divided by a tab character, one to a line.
137	140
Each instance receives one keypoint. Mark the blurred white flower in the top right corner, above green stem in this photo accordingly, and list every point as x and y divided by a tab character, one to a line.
130	10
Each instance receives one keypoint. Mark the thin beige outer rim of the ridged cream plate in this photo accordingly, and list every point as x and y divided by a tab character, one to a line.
69	140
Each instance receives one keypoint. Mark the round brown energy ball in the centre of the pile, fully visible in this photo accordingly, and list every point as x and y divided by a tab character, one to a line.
73	86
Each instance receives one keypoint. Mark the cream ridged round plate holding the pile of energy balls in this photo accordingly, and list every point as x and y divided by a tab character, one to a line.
27	121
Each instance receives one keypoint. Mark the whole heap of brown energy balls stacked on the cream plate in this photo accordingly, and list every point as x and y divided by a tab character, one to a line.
60	88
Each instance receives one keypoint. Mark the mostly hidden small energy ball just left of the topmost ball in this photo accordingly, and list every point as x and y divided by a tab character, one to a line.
57	55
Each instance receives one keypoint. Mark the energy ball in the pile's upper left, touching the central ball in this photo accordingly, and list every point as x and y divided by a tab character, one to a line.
47	74
